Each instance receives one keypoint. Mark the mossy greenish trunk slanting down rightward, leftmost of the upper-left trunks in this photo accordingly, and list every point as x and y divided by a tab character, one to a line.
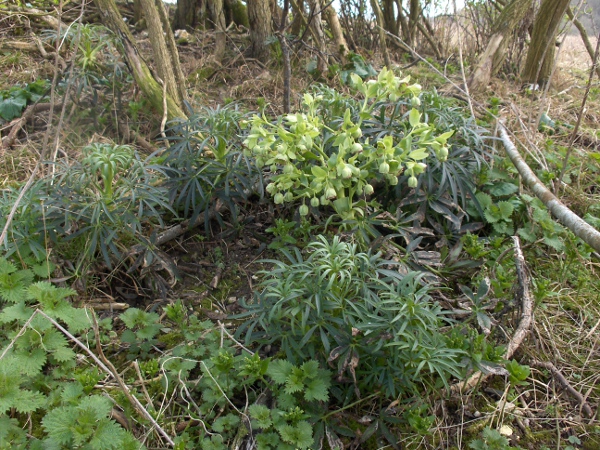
151	88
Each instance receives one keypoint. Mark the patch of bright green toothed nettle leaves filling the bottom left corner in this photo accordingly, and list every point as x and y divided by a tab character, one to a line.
37	366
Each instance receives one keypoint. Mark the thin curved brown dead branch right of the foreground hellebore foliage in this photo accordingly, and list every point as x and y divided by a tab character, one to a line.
524	295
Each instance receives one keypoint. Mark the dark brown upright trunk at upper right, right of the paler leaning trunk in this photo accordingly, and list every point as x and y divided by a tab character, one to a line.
540	56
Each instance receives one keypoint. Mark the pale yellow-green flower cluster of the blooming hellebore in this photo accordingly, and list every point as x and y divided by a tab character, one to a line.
321	163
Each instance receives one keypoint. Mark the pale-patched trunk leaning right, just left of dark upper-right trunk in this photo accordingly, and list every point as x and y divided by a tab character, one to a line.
491	59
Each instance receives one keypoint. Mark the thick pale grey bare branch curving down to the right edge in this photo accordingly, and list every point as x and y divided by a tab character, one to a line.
564	215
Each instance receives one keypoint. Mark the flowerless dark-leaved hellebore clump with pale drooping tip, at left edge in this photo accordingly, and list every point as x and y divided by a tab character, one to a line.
101	203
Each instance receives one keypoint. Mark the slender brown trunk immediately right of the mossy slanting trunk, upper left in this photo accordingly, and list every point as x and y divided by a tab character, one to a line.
167	64
